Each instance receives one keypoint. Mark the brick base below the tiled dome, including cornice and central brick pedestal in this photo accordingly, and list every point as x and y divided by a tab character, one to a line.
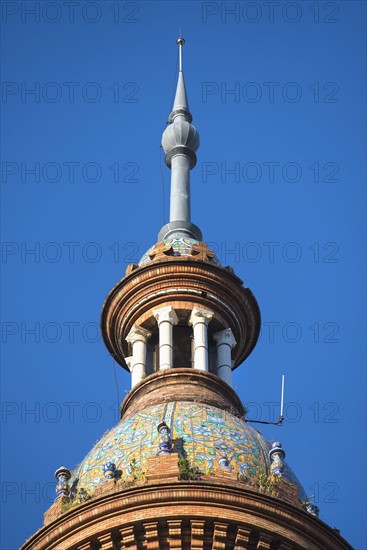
163	513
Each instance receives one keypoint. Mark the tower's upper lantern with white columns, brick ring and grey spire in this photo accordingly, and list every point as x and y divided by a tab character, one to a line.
179	308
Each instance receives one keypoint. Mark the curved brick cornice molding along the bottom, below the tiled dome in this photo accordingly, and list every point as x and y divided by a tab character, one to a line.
203	501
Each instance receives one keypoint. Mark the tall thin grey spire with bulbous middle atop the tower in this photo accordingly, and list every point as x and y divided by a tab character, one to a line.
180	142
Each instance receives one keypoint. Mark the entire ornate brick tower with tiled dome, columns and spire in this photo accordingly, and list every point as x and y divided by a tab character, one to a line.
183	468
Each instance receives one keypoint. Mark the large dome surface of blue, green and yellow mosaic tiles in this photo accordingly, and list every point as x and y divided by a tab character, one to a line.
199	432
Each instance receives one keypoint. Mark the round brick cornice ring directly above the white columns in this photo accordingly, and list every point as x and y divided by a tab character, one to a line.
184	284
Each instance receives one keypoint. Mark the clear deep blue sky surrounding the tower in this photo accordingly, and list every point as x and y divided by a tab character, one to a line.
278	95
